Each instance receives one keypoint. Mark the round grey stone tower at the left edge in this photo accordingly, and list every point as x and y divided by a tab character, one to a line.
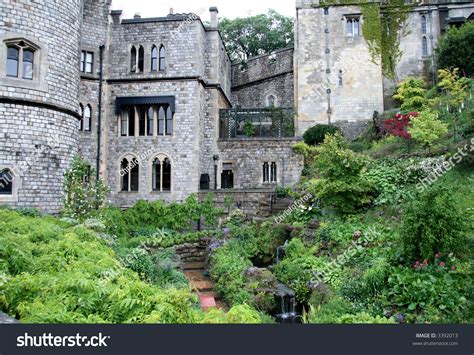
39	89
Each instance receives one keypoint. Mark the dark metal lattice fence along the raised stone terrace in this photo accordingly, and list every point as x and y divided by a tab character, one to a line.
259	122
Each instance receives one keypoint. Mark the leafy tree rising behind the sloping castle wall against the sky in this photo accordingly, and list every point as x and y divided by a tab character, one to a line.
260	34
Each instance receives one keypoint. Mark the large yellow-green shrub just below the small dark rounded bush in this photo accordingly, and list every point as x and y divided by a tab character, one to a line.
340	185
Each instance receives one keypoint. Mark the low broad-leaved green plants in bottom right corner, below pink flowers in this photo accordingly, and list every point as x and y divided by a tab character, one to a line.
418	292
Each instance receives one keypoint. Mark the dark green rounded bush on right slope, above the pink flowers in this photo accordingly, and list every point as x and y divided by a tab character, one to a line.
432	223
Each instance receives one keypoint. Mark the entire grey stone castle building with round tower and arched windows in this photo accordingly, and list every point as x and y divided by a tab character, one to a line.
159	111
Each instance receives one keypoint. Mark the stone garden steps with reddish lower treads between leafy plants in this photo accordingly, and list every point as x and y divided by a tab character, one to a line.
202	284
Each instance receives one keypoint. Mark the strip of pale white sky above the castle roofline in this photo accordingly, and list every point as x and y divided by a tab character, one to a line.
227	8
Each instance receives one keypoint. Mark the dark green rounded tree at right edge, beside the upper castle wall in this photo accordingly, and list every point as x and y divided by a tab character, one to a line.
455	49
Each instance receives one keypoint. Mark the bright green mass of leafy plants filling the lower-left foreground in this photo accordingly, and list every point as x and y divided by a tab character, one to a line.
58	274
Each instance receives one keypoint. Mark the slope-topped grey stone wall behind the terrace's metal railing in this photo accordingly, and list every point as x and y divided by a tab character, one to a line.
266	75
